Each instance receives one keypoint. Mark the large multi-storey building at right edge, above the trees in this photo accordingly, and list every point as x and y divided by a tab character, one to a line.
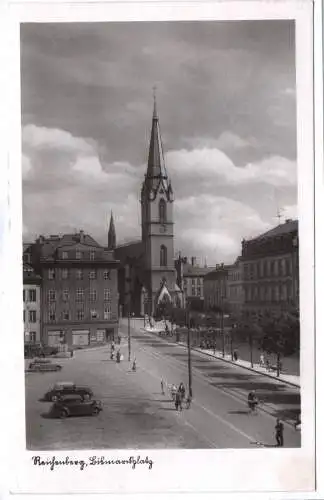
271	270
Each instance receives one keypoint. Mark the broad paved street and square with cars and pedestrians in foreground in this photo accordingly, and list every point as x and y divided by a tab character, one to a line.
137	416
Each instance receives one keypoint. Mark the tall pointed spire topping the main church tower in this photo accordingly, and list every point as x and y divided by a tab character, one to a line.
156	170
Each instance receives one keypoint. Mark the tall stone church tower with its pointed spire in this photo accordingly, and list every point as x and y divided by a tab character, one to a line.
157	224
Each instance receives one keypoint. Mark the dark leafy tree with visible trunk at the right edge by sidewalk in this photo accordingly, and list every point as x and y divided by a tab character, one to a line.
280	334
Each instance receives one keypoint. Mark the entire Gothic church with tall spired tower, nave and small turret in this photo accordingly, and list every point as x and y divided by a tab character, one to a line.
147	276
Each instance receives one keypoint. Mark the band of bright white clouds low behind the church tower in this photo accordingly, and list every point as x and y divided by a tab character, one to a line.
73	185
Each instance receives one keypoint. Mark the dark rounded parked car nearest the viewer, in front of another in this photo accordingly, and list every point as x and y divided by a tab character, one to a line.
68	406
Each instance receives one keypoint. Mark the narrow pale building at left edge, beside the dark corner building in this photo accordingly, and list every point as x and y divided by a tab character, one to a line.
31	305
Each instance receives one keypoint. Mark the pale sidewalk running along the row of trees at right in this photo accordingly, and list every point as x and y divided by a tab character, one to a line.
293	380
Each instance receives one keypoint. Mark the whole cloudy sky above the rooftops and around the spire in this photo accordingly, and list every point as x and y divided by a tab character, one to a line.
227	107
